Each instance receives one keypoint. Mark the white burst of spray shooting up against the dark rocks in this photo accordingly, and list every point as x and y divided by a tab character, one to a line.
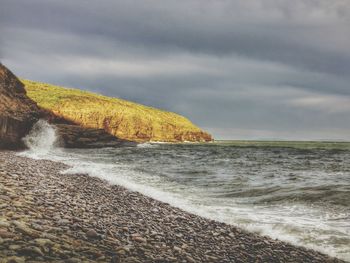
41	140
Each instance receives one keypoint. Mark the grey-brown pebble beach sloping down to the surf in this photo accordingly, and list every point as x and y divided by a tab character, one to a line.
46	216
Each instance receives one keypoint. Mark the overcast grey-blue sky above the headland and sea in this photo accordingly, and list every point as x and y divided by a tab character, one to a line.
257	69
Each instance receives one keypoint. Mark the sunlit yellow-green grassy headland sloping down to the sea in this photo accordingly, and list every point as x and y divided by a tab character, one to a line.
120	118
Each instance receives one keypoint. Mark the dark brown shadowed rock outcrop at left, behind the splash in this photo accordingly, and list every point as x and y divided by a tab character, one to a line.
18	113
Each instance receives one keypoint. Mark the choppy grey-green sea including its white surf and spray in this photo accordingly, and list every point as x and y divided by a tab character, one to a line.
294	191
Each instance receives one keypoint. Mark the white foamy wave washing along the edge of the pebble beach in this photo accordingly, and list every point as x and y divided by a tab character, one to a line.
286	222
